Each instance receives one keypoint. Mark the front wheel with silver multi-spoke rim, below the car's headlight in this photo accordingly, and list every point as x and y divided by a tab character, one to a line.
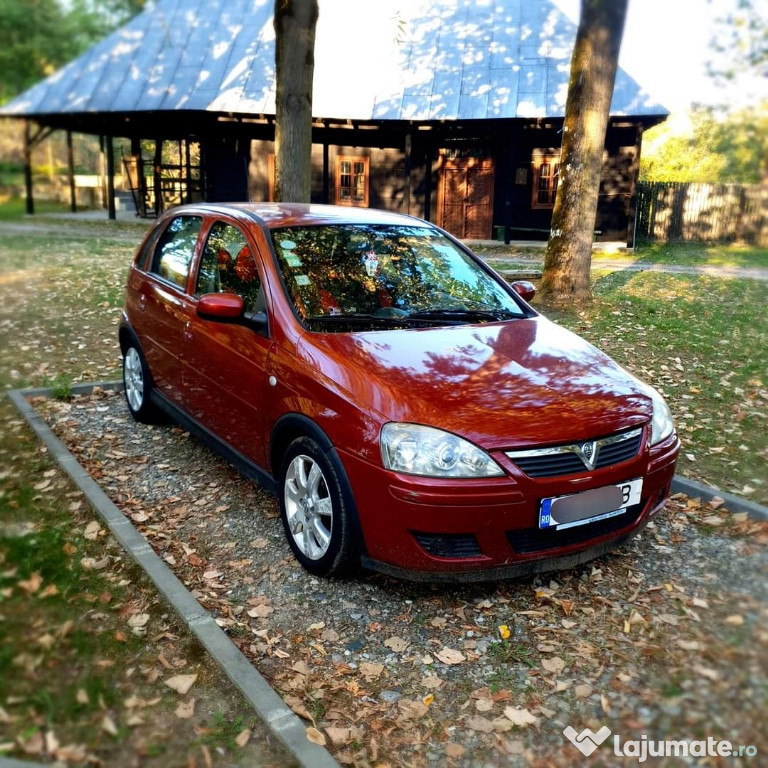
314	510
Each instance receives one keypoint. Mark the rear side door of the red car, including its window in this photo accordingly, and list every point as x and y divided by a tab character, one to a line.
163	304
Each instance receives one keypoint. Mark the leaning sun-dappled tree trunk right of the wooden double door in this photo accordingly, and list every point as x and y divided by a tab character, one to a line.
593	74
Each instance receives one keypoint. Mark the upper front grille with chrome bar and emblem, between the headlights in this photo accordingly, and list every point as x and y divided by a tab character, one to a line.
575	459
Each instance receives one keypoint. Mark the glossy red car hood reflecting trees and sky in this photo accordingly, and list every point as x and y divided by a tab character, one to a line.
500	385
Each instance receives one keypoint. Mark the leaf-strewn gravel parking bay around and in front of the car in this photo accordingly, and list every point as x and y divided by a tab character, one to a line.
666	637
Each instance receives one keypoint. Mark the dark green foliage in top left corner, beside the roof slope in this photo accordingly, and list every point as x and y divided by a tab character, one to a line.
39	36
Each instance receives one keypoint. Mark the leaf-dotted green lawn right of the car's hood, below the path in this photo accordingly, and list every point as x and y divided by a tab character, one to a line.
703	342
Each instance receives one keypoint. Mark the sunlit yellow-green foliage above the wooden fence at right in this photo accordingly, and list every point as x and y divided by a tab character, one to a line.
719	149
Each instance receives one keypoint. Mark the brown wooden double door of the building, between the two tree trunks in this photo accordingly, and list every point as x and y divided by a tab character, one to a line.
465	197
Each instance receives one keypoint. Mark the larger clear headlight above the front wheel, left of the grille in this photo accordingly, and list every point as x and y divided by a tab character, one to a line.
420	450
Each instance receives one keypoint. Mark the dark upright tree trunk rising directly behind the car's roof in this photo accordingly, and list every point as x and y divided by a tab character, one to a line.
295	22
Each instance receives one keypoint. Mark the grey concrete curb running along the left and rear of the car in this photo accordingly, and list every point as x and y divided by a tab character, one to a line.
277	717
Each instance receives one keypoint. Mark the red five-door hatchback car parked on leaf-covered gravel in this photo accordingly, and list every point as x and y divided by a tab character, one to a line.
409	408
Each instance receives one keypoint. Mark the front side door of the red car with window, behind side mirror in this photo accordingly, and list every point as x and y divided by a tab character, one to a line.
224	364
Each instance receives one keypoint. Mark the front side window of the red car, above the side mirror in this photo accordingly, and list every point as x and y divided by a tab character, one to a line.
228	266
